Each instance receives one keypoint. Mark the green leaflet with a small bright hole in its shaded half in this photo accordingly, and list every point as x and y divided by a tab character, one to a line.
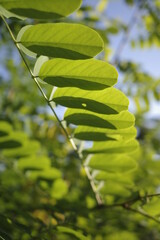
107	101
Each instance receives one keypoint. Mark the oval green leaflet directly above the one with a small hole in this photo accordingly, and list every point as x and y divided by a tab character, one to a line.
86	74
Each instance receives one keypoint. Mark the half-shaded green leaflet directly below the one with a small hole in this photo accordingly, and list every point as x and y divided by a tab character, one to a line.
86	118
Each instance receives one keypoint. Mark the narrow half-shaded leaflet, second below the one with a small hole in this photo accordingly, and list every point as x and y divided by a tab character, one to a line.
102	134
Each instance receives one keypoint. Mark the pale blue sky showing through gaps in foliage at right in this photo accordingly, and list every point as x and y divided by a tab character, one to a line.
148	58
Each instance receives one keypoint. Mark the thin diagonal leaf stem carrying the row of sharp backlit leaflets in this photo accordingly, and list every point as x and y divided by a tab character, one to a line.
98	197
